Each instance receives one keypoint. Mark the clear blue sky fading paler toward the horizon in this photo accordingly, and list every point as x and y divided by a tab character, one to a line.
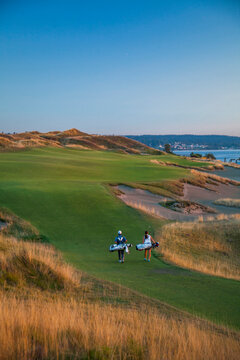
120	67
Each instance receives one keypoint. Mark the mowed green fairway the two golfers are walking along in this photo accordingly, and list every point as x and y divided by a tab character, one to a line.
64	193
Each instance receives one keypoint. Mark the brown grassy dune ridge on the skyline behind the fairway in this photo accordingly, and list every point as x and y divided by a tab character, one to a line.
75	139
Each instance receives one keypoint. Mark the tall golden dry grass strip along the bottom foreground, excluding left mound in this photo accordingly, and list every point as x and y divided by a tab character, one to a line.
34	329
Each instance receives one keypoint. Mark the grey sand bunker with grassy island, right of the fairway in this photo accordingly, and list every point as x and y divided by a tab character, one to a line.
196	201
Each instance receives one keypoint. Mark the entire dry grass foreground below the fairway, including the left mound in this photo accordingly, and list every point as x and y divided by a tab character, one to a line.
46	313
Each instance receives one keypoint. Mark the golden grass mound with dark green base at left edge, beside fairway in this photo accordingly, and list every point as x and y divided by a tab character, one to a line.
28	263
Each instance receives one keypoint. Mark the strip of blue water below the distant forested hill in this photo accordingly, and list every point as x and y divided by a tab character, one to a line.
223	155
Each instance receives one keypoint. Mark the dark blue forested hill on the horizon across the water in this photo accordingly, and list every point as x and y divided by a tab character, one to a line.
210	141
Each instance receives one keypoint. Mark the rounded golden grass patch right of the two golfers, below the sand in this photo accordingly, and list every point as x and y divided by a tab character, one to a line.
210	245
